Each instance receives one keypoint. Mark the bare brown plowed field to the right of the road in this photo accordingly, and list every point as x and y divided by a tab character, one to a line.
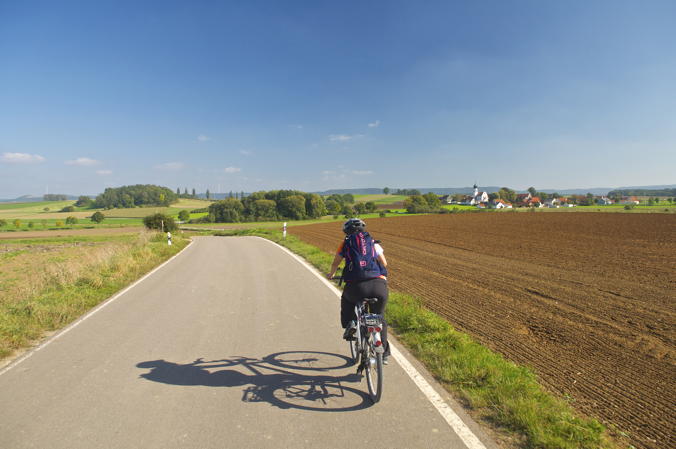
585	299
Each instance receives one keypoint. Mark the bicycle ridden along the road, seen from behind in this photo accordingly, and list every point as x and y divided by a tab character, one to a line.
366	347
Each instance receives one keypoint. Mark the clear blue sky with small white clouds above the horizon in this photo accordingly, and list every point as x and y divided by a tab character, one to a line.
323	94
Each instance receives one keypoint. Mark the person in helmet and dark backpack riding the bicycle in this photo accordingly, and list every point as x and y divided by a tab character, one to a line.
365	276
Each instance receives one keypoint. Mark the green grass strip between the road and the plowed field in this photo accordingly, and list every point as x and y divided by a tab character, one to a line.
502	393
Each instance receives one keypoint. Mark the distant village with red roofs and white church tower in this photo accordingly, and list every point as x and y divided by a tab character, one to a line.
507	199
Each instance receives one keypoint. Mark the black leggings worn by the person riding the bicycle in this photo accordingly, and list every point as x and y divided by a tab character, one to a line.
355	292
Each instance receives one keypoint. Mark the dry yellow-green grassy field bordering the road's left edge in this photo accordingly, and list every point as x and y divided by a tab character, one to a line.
49	282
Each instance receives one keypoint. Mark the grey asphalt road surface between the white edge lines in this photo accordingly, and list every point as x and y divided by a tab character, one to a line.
234	343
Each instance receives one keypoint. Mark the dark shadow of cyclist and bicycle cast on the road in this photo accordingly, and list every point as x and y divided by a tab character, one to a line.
293	379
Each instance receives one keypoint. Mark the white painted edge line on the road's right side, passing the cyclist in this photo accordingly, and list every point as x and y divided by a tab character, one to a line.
453	420
